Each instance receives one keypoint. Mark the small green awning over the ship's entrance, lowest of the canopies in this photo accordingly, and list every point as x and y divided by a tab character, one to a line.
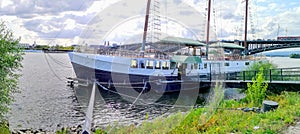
186	59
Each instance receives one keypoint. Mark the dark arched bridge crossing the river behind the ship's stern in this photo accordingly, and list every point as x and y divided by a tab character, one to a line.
262	45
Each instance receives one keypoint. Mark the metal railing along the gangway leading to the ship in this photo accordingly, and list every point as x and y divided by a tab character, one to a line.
281	74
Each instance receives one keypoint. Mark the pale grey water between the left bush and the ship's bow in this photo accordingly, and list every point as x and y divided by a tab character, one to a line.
44	101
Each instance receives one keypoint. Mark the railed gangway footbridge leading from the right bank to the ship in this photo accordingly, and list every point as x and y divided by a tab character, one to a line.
277	79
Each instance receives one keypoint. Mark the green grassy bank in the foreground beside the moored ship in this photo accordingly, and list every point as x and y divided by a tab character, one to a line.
225	120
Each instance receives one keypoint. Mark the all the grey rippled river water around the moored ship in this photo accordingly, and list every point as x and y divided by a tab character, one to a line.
46	102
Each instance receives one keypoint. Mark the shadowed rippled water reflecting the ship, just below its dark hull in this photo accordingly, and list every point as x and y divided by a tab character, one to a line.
111	107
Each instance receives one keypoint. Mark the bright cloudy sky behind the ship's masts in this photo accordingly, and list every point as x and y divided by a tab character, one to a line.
67	22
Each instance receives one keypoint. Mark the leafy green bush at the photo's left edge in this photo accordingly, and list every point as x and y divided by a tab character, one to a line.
10	63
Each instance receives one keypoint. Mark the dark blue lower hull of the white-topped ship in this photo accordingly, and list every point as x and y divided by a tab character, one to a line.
132	81
